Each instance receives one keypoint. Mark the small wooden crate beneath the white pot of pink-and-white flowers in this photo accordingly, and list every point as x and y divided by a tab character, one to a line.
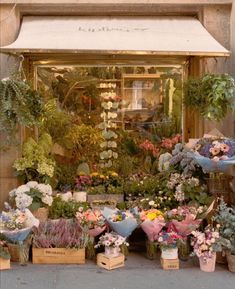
110	263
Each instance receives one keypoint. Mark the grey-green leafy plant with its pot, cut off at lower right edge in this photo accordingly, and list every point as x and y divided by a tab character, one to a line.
225	218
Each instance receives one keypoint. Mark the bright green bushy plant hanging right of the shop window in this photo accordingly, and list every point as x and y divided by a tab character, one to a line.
212	95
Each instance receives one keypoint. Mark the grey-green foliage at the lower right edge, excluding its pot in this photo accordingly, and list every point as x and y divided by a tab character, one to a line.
225	217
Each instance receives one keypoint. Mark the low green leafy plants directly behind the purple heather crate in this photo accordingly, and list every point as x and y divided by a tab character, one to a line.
63	209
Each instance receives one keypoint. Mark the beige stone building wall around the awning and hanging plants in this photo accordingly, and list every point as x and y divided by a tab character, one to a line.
217	16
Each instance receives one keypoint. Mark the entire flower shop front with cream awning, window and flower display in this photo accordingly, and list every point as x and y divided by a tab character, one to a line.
104	161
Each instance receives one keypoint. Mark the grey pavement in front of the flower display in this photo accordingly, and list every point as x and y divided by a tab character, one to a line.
138	273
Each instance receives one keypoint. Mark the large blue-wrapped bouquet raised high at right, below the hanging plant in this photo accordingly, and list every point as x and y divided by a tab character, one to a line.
215	154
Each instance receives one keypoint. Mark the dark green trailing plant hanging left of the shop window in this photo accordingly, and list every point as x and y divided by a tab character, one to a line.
19	105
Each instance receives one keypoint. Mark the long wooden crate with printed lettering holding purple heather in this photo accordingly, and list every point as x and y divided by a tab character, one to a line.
58	256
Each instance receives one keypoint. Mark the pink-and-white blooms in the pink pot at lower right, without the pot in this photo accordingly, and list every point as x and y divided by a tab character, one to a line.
206	243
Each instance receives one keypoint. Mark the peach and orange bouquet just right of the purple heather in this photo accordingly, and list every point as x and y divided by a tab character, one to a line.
92	221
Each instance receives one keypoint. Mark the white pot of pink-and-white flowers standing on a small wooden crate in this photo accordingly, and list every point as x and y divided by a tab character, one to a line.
112	242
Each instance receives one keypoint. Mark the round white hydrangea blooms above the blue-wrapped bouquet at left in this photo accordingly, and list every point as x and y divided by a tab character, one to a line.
32	195
